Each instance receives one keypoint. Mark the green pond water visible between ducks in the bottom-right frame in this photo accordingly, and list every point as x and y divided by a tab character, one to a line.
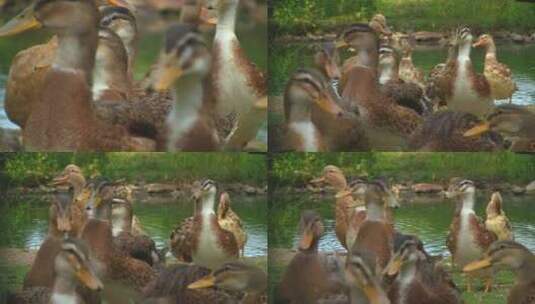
428	219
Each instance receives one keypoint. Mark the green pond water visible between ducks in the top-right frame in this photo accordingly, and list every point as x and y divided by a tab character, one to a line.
520	58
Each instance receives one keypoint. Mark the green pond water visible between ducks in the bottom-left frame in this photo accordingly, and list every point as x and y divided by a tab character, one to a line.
24	224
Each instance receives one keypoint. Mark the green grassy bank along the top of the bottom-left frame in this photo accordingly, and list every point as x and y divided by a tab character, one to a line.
31	169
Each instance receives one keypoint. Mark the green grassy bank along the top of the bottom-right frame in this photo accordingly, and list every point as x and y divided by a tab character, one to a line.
298	168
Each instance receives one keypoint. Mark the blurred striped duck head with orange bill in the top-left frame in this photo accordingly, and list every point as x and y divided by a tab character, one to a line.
184	54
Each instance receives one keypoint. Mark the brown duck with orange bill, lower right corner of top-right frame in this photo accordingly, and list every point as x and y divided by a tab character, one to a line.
515	123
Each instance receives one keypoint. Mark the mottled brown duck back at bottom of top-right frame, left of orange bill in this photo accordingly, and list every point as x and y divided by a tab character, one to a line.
444	131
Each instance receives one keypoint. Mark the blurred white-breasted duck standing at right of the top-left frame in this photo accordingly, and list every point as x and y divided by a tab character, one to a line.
237	84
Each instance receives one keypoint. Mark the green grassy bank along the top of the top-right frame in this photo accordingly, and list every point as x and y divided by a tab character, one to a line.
296	16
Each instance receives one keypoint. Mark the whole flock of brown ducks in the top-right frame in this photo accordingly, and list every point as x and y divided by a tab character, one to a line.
377	99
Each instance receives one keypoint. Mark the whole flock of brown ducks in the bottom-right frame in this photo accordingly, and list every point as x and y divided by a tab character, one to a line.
383	265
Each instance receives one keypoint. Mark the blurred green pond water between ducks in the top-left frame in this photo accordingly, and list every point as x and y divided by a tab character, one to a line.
252	38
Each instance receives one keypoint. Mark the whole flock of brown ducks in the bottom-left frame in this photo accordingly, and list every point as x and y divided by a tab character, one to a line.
97	252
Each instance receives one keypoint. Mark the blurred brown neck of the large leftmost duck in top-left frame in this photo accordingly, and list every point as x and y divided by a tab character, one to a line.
76	52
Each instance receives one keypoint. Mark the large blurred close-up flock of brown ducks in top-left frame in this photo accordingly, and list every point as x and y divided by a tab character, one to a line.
77	91
